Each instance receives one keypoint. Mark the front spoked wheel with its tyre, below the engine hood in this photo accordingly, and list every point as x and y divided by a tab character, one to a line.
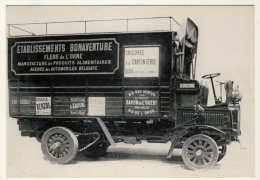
200	152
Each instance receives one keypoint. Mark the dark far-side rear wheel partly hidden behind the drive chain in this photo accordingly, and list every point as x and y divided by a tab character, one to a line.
96	150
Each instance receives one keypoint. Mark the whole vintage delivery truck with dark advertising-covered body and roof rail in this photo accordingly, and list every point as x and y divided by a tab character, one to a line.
86	92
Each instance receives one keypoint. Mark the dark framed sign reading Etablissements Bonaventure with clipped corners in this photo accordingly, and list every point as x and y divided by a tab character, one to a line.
53	57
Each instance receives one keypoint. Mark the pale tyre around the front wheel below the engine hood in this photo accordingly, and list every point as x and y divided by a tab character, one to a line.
203	138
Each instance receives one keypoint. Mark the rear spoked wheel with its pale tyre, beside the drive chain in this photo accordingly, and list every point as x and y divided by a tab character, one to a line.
59	145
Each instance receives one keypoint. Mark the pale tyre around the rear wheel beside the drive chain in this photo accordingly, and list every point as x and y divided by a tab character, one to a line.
73	144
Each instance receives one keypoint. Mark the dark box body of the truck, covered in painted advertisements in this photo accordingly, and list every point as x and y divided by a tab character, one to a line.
103	75
